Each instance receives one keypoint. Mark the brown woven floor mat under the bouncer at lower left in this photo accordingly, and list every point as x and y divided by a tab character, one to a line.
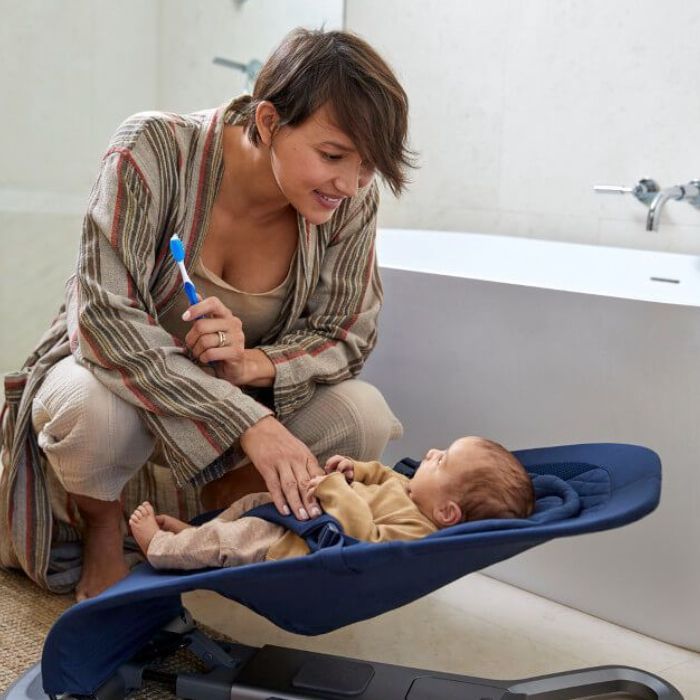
26	615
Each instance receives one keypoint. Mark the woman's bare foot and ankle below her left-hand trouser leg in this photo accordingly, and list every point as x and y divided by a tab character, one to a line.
103	554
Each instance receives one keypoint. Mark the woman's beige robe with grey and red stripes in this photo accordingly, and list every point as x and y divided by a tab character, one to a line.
160	176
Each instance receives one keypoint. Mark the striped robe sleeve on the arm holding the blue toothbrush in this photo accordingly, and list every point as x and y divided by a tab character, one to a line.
338	329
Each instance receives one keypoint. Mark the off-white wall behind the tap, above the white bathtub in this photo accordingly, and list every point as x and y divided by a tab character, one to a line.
518	107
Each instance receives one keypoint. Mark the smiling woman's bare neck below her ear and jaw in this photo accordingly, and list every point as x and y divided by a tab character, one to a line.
248	188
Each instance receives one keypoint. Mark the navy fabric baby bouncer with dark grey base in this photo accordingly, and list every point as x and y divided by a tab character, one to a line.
111	645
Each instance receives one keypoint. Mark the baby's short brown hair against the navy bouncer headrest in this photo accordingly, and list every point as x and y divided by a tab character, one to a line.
498	488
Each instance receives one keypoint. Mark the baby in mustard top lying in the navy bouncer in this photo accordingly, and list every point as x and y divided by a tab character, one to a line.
473	479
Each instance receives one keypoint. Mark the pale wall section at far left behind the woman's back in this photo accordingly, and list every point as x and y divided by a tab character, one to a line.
71	71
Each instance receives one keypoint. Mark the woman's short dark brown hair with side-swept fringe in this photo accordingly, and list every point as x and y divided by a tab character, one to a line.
313	68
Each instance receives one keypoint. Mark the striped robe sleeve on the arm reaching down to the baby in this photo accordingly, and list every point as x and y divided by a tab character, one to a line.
113	324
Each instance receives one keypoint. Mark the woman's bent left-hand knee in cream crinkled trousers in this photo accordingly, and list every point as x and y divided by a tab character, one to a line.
84	429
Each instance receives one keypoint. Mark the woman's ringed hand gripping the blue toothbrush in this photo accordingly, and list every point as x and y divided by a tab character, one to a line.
218	337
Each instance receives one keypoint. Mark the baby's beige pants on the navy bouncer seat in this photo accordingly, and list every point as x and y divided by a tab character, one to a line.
227	540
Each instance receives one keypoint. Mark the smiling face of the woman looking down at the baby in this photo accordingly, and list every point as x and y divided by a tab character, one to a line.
316	166
